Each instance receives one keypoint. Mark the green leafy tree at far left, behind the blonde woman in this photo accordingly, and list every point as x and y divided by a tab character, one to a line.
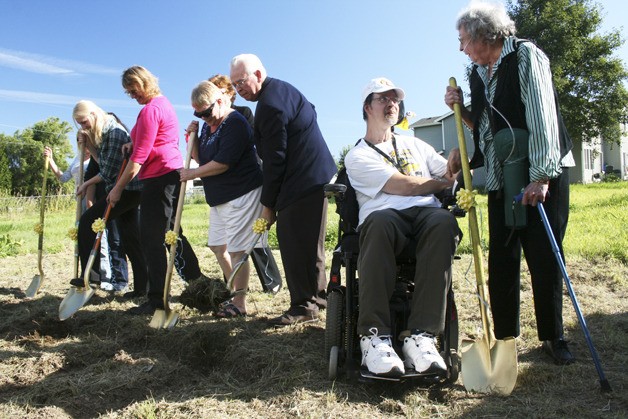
25	155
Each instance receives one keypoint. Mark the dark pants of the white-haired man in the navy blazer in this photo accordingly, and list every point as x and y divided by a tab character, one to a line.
300	227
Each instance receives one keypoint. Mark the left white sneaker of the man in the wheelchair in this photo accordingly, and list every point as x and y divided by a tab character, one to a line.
379	357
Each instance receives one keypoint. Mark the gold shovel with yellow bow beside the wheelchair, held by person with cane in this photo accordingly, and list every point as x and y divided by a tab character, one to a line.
489	365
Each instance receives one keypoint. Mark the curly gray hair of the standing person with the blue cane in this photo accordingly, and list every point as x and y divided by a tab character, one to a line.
486	21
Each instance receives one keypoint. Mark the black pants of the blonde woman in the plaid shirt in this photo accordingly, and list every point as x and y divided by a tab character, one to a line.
126	212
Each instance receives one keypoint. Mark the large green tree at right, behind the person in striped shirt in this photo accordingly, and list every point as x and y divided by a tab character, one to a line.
589	80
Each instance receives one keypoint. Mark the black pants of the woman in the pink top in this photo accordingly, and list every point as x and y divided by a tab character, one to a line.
158	205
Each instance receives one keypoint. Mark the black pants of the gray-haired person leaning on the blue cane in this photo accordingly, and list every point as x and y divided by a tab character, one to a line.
504	263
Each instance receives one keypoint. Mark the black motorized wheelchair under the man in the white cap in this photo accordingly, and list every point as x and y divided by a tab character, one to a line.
342	343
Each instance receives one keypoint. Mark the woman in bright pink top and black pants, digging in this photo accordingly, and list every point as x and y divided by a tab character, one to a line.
156	159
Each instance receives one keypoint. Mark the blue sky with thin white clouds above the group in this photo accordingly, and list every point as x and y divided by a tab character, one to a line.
55	53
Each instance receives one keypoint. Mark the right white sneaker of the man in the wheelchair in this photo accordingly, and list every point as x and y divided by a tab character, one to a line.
421	354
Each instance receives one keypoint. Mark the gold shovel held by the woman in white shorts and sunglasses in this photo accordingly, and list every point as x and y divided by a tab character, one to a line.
166	318
